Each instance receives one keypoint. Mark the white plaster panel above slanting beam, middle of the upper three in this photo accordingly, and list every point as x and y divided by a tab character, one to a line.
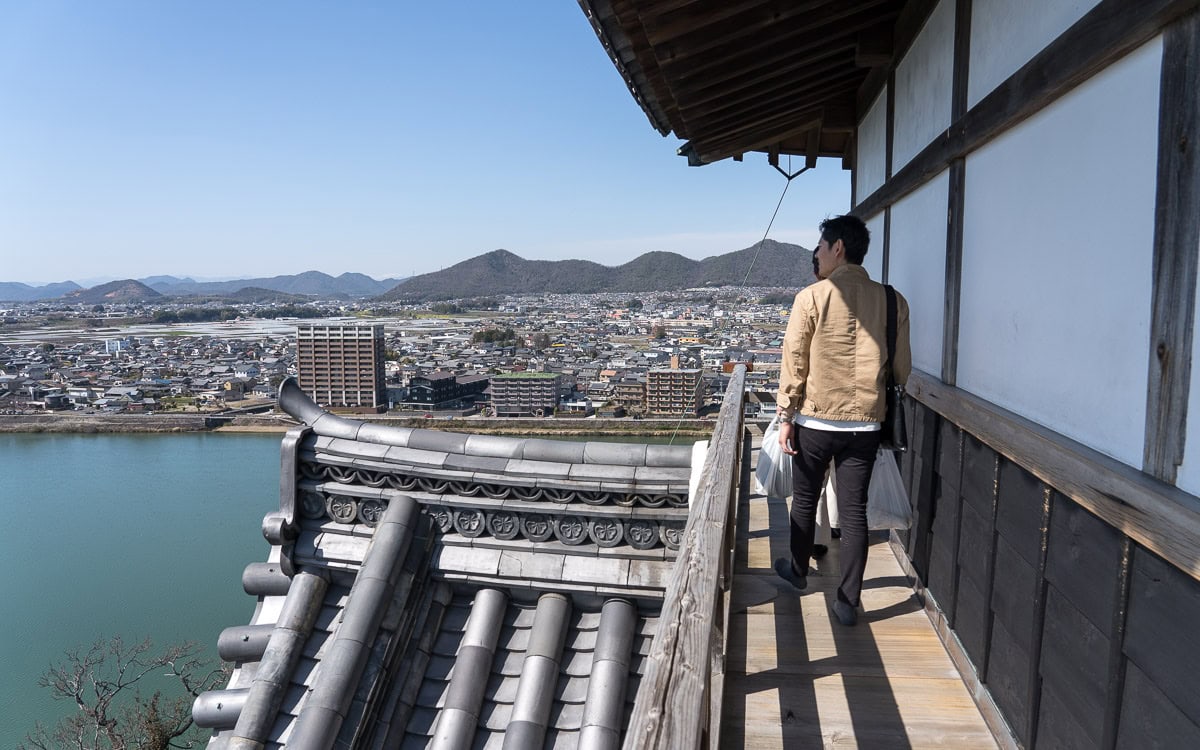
925	87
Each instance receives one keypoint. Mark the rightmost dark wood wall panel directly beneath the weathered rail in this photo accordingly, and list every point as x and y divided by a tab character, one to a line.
1161	631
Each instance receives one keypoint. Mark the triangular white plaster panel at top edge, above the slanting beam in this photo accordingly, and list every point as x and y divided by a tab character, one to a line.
1007	34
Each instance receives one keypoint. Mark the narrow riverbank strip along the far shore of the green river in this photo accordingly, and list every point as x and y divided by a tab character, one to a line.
99	424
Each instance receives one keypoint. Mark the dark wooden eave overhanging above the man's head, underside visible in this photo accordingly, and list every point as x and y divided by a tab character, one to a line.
739	76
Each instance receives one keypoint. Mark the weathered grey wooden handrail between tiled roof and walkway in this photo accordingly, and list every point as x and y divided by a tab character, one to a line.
679	704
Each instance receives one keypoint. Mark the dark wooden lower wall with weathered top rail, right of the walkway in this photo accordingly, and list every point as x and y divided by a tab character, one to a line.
1065	585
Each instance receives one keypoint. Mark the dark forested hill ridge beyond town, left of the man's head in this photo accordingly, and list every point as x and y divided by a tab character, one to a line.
772	265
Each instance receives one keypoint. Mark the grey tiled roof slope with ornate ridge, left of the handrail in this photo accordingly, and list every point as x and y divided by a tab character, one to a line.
451	591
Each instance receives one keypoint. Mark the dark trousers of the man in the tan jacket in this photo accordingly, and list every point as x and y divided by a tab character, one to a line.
854	459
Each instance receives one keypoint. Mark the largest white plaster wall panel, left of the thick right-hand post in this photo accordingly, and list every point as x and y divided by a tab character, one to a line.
1058	261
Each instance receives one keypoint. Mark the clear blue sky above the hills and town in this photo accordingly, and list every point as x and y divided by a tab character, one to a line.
237	140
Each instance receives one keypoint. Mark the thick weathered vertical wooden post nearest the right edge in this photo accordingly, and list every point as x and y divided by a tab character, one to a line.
1177	248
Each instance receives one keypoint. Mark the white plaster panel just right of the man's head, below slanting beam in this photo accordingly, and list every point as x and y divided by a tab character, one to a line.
917	268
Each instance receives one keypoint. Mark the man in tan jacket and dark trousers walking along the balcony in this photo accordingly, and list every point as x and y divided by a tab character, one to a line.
832	385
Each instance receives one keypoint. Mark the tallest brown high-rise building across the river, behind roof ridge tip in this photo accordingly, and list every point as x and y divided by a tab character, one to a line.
341	367
